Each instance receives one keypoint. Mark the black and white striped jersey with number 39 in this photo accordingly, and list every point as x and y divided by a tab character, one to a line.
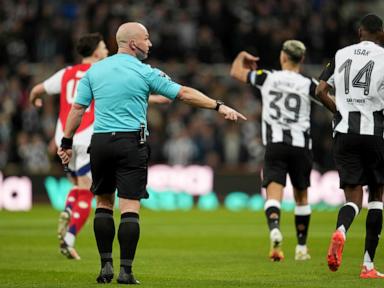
286	97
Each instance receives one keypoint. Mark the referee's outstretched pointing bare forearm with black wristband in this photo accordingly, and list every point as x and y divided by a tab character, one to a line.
195	98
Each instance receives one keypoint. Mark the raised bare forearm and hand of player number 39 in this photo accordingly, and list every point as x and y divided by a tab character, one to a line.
242	65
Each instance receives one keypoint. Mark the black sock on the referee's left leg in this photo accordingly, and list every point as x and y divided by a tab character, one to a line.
104	229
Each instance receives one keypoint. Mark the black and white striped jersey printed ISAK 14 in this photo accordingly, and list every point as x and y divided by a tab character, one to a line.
358	78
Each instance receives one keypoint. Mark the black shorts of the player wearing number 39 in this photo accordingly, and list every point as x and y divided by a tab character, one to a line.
281	158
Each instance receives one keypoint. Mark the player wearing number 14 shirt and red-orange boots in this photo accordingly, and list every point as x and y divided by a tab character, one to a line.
357	74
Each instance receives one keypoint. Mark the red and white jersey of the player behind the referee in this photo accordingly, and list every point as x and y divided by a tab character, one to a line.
65	82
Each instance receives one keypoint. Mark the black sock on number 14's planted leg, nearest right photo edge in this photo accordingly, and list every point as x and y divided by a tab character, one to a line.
374	223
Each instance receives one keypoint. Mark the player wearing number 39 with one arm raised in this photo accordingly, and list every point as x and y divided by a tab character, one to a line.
286	97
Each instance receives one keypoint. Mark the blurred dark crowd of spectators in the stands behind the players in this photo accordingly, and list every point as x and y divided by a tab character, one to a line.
194	40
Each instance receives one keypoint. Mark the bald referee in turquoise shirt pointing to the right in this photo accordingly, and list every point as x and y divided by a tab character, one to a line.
121	85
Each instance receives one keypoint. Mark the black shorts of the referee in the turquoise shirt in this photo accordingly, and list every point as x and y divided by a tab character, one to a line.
119	161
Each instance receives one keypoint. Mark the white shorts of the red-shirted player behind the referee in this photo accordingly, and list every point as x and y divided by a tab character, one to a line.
80	161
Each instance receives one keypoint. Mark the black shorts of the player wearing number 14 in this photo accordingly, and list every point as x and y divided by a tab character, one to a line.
359	159
